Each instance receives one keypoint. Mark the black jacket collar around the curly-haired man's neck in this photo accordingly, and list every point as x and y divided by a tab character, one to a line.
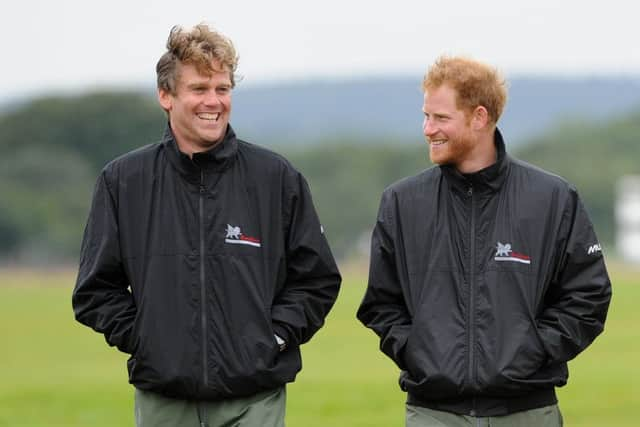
216	159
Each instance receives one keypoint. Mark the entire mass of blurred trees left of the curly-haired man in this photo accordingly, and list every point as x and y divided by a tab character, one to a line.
51	151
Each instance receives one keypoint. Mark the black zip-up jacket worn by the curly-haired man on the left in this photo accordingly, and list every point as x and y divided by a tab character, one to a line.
192	266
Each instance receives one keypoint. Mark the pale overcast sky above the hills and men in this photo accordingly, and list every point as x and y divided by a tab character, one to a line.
80	44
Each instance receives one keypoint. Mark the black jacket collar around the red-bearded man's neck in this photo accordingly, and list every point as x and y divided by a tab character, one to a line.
487	180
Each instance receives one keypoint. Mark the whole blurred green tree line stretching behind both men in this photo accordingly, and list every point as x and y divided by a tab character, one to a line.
52	149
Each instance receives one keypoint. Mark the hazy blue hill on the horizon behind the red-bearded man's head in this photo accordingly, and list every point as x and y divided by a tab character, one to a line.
391	108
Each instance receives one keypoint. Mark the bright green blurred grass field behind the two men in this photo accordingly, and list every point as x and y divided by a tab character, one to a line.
55	372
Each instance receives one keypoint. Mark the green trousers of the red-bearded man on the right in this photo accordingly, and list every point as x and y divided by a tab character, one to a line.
549	416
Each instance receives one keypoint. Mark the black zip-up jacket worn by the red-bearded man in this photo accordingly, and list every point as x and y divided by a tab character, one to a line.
483	286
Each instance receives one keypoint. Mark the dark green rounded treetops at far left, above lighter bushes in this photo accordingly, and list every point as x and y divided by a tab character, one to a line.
97	126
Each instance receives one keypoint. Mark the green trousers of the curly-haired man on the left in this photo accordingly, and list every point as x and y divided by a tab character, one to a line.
264	409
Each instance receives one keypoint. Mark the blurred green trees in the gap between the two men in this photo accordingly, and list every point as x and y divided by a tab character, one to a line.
347	179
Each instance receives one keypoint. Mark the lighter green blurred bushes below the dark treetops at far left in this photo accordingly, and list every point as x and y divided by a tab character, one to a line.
44	203
